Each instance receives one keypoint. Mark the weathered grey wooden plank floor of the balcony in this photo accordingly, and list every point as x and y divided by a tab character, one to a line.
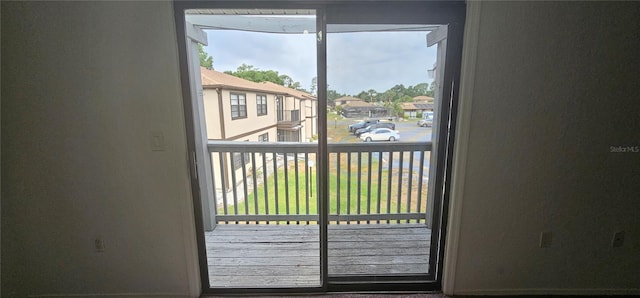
288	255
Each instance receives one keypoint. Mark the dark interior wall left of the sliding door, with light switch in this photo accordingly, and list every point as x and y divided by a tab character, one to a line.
84	84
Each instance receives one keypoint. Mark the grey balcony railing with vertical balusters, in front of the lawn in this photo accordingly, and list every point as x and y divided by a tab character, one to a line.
276	183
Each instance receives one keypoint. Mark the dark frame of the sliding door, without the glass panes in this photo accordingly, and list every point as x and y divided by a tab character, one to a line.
451	13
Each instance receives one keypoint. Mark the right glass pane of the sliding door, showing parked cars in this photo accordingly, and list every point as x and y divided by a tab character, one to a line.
380	140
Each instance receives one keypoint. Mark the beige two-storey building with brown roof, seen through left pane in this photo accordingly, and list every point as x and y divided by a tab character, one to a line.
241	110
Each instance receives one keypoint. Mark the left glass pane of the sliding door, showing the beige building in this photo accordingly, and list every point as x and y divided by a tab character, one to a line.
256	73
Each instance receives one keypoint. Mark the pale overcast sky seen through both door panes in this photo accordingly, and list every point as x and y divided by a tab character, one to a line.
355	61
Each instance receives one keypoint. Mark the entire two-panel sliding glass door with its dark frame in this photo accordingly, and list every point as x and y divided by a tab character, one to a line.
320	141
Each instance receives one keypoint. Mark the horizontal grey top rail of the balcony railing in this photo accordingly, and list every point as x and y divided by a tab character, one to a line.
297	147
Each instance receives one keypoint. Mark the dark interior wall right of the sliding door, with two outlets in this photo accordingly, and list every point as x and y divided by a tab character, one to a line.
556	84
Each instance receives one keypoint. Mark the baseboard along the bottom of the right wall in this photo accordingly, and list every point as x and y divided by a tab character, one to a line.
549	291
